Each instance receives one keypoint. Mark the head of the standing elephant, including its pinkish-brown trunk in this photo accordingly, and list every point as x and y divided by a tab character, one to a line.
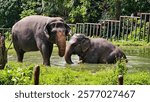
56	31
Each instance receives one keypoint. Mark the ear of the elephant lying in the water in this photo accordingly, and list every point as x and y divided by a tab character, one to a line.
85	44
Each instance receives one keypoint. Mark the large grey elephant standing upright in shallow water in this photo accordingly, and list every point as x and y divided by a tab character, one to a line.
37	32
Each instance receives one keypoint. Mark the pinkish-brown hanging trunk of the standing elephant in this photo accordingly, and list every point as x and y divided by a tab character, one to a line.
61	43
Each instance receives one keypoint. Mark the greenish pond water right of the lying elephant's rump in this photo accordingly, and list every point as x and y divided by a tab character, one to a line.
139	57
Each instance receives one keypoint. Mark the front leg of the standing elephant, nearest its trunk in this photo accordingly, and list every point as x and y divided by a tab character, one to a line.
46	52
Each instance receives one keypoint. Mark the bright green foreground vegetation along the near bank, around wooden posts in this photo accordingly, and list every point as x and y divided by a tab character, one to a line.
22	74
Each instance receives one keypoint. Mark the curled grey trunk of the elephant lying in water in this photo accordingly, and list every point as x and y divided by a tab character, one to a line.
68	54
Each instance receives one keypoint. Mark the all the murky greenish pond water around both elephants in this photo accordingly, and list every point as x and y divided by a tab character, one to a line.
138	58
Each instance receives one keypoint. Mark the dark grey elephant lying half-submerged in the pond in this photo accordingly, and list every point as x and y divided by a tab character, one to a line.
96	50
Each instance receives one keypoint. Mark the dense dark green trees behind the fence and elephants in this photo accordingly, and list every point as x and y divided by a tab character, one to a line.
71	10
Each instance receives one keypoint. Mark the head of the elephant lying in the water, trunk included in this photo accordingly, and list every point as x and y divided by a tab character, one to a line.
78	44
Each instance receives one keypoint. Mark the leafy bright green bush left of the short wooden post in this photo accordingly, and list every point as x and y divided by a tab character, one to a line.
16	74
